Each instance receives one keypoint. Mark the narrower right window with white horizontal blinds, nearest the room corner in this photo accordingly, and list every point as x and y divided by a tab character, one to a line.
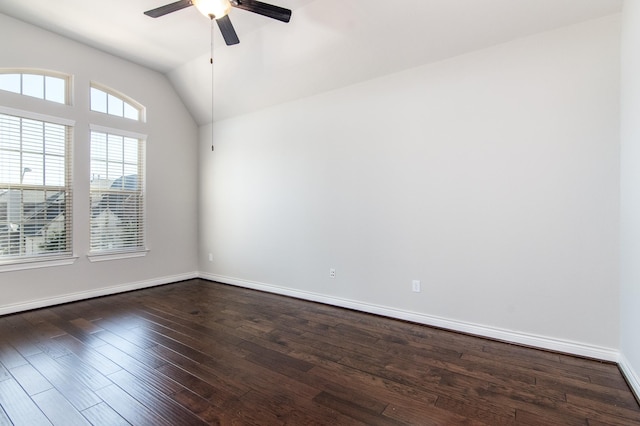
117	192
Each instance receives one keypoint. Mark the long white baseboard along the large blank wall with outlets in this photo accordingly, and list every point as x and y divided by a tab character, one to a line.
527	339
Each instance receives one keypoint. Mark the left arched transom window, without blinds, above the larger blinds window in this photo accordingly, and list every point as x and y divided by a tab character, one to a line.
38	84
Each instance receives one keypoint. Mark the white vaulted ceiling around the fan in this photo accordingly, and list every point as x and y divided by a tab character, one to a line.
328	43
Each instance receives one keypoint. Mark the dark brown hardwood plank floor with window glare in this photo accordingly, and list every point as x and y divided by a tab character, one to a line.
198	352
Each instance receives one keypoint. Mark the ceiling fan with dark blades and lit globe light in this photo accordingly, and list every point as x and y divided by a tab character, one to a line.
219	9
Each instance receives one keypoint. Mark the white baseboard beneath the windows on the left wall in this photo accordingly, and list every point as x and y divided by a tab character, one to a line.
74	297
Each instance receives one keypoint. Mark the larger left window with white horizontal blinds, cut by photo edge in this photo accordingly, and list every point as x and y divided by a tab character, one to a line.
35	187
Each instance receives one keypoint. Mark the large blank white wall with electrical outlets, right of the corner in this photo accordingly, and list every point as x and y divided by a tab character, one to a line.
492	177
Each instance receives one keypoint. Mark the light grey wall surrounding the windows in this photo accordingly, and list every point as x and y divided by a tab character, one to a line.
171	170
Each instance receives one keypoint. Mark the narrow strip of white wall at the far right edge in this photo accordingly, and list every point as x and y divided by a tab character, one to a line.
630	195
